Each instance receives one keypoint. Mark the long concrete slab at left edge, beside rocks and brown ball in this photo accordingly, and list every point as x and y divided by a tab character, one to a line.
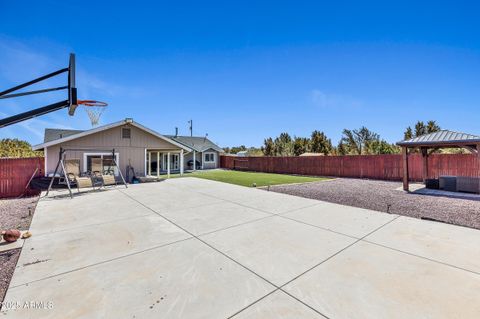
52	254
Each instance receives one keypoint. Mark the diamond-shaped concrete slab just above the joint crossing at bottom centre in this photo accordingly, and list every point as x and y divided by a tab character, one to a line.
276	248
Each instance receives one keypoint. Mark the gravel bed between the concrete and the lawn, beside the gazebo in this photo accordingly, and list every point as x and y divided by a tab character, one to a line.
382	195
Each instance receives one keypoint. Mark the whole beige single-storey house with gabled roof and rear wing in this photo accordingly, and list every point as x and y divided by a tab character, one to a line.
148	152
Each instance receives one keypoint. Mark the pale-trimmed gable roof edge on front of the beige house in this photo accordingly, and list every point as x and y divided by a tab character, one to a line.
103	128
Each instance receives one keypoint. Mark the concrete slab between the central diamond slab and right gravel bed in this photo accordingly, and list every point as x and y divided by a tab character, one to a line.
351	221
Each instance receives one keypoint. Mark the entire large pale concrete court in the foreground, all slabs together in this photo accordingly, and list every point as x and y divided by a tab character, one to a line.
193	248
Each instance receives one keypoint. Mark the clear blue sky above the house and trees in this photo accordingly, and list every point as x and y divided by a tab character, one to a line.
247	70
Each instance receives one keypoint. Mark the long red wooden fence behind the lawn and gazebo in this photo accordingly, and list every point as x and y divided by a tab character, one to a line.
385	167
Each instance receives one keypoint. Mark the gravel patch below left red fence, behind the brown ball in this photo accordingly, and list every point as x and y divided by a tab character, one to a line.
17	213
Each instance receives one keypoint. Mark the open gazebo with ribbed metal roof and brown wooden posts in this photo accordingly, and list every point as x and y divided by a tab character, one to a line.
429	143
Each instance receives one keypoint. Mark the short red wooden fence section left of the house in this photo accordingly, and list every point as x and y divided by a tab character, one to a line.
15	174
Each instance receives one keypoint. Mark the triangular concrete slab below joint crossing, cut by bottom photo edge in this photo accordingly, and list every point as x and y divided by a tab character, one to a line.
278	305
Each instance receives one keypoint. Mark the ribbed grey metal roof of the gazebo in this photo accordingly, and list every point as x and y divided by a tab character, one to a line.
442	138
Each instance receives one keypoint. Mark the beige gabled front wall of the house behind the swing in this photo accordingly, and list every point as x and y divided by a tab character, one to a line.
131	151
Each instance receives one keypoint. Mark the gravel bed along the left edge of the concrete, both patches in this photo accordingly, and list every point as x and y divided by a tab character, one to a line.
16	214
